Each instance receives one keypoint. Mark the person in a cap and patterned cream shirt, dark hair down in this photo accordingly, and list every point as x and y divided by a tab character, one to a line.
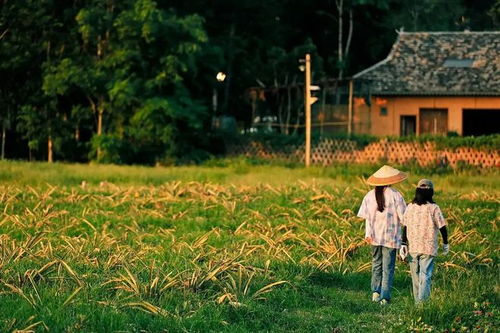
421	222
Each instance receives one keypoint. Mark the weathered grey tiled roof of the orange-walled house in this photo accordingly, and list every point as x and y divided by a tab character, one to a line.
438	63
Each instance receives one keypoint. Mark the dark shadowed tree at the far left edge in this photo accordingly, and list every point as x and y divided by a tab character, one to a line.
25	51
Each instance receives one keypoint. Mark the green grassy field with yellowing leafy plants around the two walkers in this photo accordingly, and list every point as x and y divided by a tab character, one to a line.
234	247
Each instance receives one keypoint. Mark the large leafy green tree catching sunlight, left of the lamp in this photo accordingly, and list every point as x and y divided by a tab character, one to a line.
132	60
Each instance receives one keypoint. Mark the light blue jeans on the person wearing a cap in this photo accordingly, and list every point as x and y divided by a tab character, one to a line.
421	267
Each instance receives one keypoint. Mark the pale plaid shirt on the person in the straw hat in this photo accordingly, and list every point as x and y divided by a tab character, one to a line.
384	228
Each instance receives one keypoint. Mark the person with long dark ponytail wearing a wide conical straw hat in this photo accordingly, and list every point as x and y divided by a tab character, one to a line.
383	209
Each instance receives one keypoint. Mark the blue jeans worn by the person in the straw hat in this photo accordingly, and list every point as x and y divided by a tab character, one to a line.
383	262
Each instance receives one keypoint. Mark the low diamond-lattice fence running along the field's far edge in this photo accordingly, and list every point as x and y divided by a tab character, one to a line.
329	151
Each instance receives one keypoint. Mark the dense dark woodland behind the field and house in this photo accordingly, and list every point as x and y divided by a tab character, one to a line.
133	81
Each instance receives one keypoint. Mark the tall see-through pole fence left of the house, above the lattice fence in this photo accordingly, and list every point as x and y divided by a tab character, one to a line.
281	109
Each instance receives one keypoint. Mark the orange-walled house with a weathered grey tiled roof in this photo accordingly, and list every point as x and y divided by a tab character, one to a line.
436	83
